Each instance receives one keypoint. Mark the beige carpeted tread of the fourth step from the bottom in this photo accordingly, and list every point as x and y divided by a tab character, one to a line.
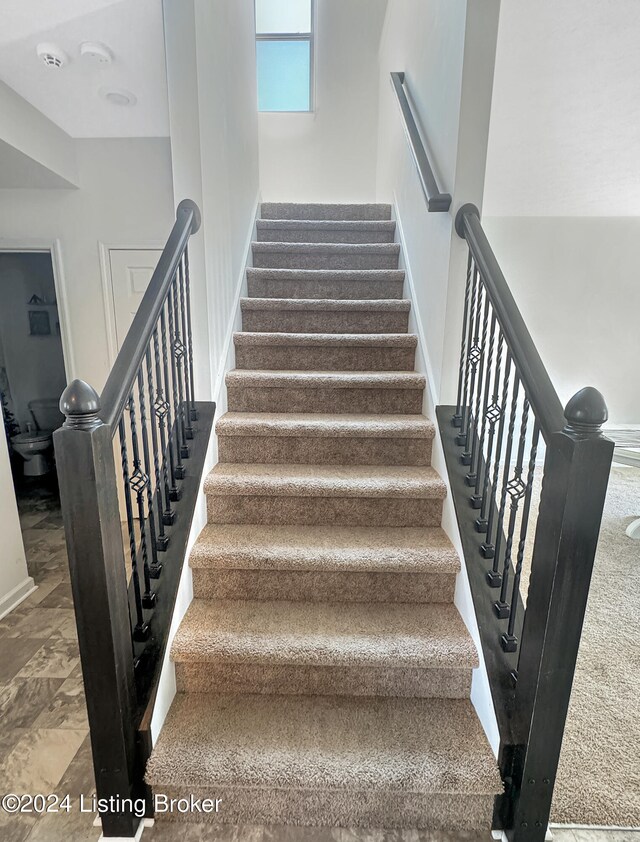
375	481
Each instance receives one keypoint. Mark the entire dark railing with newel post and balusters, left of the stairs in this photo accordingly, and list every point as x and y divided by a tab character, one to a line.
125	580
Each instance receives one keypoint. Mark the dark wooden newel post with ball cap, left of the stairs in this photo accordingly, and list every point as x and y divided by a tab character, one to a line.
88	491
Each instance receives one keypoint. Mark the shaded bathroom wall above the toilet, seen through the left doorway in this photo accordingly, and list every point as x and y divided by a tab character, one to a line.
34	364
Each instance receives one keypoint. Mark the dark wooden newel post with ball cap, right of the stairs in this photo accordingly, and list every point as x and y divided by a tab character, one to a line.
577	466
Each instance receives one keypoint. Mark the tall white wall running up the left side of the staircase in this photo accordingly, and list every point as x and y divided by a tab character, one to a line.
214	143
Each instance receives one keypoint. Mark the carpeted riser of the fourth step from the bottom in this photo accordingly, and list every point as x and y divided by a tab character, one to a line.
341	511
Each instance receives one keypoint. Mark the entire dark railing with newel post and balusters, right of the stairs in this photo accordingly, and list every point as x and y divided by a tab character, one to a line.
505	402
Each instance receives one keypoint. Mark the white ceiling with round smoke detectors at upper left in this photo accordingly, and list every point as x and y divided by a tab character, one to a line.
133	31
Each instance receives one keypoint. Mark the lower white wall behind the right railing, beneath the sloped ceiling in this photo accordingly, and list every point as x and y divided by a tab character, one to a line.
576	283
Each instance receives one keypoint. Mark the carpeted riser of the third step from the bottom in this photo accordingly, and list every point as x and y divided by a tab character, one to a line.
321	586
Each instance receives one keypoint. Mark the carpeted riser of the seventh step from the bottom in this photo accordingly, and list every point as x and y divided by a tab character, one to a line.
324	358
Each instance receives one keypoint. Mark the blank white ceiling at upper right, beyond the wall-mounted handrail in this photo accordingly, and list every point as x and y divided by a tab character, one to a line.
564	138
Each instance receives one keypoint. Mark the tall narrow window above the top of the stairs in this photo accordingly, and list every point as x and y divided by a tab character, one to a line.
284	54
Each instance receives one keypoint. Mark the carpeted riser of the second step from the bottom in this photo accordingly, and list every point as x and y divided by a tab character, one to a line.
315	680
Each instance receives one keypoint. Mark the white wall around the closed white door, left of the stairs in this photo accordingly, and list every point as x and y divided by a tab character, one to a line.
125	197
